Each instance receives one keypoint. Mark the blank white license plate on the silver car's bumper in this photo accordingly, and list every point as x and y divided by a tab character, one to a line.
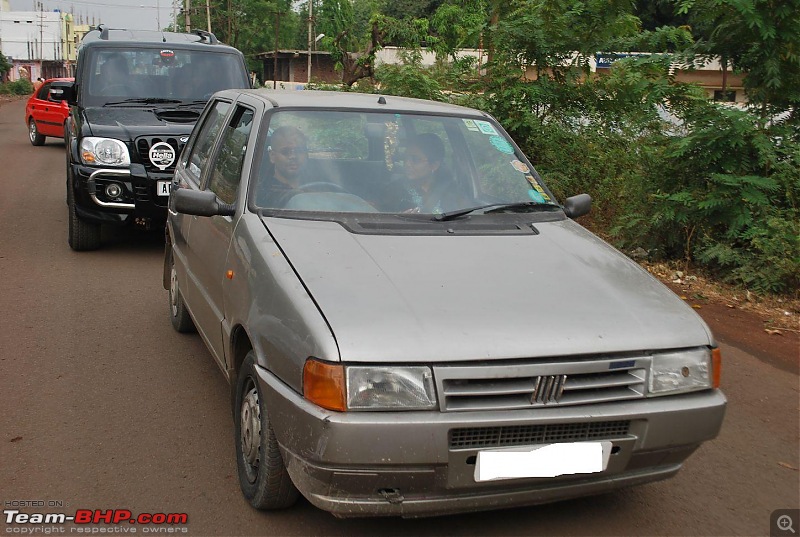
550	460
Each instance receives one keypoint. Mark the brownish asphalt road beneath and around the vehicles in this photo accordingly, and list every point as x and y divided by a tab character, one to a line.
103	406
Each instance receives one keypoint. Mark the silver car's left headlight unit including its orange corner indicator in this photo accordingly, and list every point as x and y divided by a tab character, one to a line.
341	388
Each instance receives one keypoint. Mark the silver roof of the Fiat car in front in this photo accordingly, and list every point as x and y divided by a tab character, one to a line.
348	100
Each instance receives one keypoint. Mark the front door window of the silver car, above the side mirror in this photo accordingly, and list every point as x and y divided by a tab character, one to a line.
226	172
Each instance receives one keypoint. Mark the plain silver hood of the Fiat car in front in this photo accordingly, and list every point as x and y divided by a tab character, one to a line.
390	298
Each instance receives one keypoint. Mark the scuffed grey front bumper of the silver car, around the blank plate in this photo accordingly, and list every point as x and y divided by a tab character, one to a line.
406	463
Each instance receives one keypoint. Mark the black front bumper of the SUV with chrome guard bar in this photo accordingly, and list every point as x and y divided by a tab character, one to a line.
140	202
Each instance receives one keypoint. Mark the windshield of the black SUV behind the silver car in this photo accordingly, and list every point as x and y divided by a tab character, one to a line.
119	76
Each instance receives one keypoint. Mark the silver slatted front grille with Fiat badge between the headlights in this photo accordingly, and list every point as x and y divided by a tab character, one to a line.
533	385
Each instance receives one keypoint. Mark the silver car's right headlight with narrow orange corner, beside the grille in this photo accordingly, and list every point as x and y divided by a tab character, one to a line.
683	371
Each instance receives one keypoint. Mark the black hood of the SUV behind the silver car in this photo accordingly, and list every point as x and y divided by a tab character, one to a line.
127	123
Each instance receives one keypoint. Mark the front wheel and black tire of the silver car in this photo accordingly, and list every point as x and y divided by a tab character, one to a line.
263	477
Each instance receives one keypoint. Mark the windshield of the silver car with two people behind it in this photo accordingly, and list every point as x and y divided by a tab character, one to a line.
395	163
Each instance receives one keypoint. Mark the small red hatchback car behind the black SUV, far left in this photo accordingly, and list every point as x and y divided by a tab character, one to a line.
47	111
